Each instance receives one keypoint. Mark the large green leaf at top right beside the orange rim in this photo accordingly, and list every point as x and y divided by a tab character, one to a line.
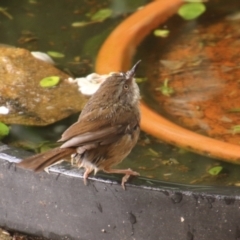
191	11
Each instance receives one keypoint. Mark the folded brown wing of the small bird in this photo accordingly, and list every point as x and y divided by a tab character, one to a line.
104	126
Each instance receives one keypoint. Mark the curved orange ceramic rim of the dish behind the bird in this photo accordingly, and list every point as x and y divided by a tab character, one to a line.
116	54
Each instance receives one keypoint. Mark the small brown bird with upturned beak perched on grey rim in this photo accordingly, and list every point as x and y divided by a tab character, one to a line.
105	133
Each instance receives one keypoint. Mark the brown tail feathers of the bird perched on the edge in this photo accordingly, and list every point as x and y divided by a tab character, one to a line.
42	160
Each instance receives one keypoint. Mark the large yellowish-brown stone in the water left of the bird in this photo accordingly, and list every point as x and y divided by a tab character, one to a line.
27	102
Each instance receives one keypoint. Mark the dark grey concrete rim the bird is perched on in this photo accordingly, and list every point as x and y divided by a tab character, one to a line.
59	206
